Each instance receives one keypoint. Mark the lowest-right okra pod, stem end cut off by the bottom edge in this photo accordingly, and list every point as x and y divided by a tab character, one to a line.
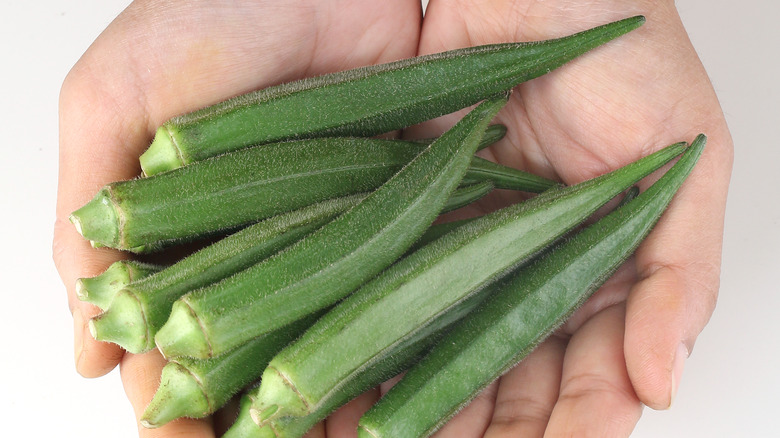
526	308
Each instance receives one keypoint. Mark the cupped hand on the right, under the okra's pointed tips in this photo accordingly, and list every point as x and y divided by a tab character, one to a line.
626	347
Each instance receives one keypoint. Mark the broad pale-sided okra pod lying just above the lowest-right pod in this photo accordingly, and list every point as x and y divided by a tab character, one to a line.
424	286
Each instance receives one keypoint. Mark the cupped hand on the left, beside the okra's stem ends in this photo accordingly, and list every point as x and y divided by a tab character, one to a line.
160	59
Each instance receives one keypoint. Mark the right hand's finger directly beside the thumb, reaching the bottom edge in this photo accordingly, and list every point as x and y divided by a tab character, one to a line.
596	397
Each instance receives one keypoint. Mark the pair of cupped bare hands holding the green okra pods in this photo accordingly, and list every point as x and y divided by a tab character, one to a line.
624	349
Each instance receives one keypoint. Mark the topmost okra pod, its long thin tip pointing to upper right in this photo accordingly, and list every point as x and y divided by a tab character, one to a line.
369	100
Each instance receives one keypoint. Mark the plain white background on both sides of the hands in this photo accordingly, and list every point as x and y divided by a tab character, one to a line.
730	383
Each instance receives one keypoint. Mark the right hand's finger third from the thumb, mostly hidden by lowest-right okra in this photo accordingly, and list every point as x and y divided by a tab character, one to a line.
474	419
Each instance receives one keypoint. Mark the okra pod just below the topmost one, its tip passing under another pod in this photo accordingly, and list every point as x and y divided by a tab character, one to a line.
245	186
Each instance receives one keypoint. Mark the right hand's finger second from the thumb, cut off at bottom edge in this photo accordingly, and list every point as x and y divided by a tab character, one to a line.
528	392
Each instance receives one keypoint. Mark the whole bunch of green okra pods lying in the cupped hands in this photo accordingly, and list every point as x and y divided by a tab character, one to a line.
324	276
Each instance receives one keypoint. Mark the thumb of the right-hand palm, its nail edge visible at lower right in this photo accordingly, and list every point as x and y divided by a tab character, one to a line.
679	275
